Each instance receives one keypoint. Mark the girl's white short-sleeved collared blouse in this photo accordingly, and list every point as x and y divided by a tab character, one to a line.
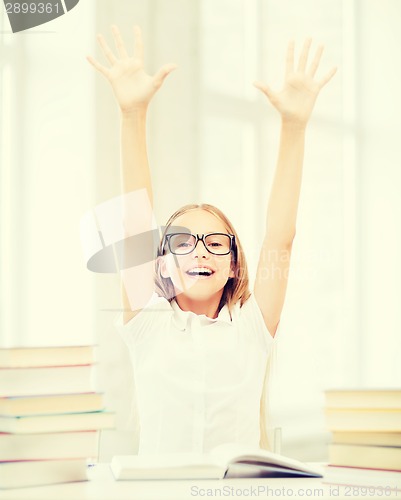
198	380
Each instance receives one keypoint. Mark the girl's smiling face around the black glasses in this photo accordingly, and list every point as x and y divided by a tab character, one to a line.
198	275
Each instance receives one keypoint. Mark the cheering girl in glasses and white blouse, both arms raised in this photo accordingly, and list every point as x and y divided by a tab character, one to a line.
201	345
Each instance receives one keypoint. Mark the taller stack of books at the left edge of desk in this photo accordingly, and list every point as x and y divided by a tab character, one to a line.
50	415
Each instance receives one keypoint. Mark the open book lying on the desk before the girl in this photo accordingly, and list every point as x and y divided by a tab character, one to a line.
225	461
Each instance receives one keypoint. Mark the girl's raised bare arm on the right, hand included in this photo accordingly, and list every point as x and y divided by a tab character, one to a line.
295	103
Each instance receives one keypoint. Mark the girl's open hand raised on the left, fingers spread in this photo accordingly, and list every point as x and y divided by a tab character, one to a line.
132	86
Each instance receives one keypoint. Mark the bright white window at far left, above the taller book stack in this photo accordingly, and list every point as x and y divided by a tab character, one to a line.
46	181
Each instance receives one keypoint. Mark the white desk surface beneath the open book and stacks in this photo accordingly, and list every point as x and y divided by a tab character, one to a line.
102	486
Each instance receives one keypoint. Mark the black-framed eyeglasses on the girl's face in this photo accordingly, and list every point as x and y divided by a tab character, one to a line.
185	243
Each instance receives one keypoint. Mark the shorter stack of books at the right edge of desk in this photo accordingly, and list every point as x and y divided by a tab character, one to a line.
366	436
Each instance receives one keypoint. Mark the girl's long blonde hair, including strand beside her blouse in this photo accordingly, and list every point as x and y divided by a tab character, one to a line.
235	290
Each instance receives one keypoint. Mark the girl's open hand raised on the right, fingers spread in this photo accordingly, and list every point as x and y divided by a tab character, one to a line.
296	100
